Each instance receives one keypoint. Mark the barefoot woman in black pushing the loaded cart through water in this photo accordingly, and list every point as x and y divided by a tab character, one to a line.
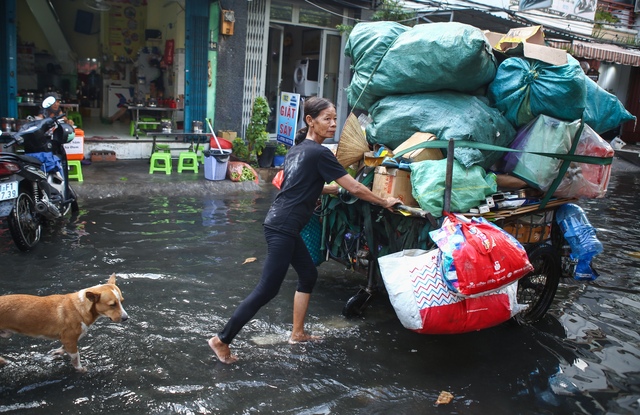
308	166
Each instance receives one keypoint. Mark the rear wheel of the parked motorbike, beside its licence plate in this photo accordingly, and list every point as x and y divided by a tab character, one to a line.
24	225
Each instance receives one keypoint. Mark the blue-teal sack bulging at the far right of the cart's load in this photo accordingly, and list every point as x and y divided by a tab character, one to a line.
603	110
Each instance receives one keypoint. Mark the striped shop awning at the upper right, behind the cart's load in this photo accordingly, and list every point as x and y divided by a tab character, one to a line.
599	51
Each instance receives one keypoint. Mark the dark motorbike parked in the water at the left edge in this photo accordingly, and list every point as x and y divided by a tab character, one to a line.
34	187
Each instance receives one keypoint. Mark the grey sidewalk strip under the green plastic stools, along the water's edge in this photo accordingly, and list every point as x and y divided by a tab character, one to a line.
131	178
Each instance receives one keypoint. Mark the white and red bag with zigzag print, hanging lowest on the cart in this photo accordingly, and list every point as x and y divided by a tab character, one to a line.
423	302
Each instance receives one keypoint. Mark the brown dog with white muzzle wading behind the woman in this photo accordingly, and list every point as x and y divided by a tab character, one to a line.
61	317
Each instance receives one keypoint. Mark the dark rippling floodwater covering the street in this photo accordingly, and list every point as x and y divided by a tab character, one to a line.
181	267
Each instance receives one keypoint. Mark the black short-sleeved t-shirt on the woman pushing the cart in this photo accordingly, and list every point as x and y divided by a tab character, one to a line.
308	166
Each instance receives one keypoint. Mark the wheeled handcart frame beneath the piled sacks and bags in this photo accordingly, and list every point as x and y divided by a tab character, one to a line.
356	233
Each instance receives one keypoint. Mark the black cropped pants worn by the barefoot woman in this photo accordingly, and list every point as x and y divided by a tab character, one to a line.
282	250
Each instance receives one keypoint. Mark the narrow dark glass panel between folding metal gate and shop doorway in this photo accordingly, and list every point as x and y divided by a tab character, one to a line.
274	74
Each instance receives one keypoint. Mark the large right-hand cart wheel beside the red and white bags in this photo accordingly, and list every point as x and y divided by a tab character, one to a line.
538	288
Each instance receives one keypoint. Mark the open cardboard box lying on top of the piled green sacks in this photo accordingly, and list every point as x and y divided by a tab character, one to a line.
526	42
